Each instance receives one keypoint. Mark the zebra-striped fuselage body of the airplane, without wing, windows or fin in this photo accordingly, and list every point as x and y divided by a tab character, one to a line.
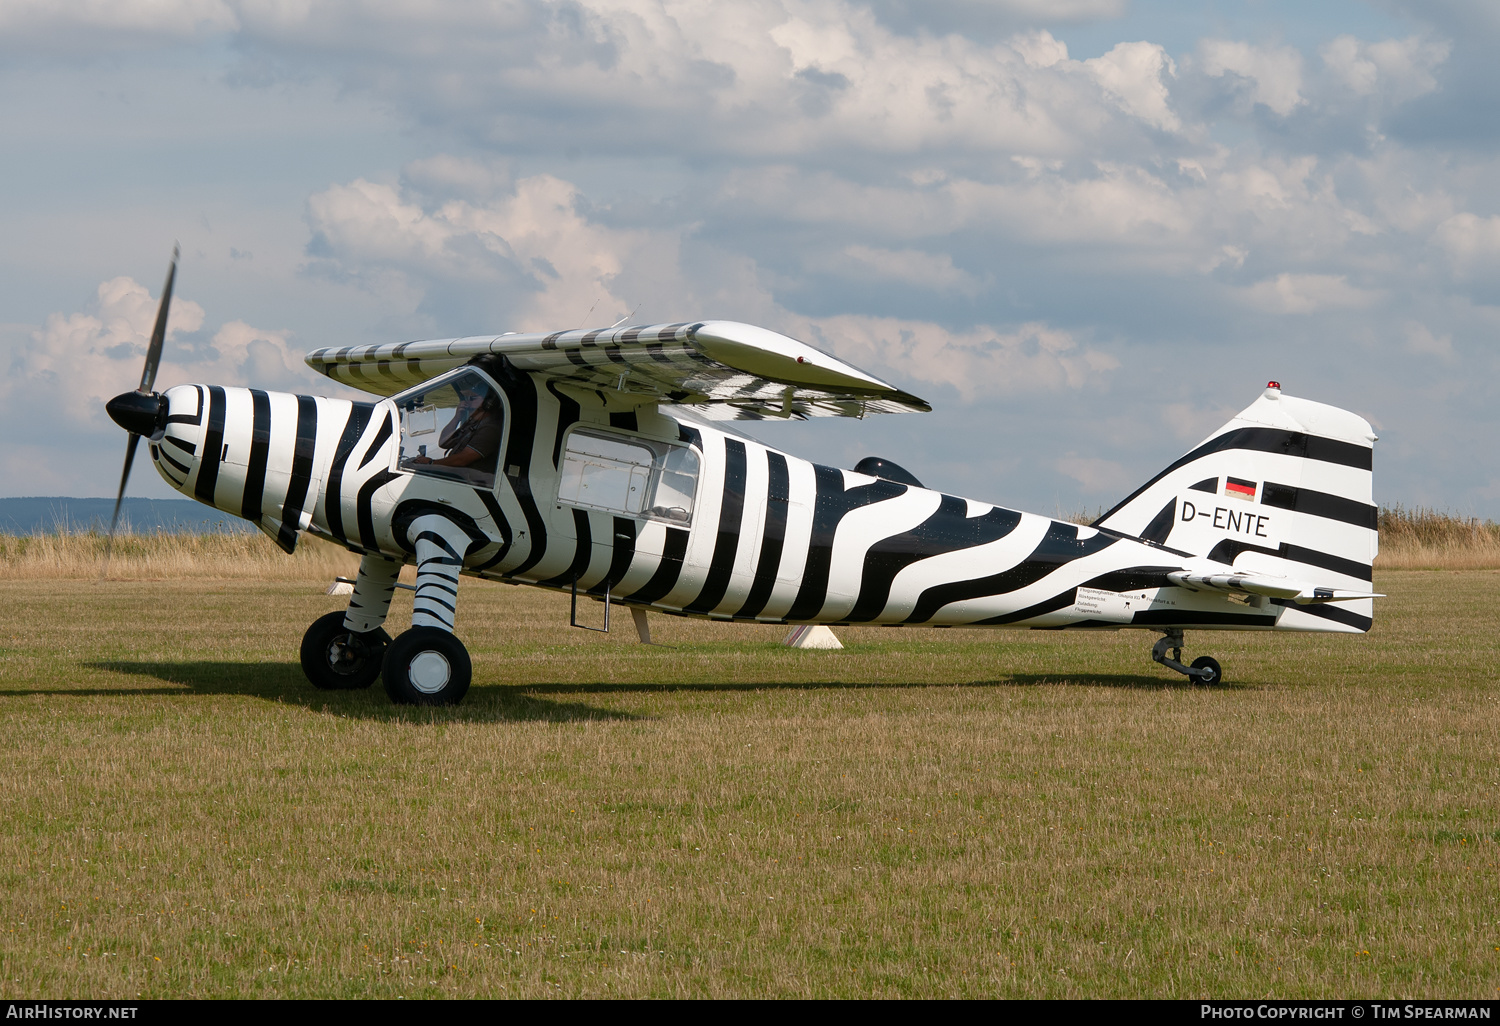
772	538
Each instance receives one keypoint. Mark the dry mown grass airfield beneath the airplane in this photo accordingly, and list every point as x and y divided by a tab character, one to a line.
928	814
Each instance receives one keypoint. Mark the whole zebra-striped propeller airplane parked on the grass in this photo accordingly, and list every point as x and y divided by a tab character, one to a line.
604	464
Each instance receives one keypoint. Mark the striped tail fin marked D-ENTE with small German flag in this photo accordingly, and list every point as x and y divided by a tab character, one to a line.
1285	488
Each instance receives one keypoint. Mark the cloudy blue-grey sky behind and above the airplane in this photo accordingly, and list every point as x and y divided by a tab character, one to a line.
1087	232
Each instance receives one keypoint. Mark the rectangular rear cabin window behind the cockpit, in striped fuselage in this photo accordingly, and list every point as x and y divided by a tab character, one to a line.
632	476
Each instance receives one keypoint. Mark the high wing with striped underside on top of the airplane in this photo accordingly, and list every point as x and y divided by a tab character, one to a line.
724	370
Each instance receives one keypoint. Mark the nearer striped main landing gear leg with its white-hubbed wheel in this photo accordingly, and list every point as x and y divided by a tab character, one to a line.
428	665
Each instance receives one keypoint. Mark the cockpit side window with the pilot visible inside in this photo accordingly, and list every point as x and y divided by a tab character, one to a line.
454	428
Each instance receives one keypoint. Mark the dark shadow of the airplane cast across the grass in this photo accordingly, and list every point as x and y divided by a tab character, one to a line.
514	703
